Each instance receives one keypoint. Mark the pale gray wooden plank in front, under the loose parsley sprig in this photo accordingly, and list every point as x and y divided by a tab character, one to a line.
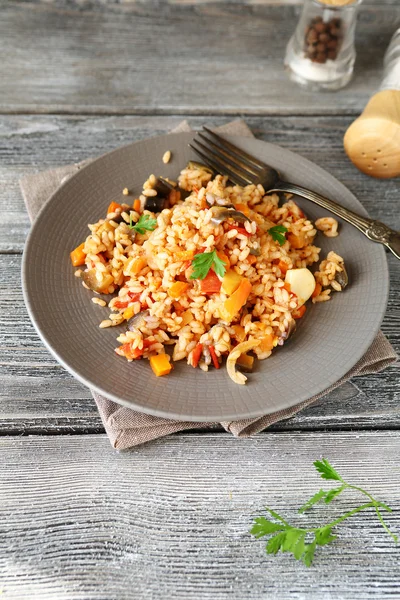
171	518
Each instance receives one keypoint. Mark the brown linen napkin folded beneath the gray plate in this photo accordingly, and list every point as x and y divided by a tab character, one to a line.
125	427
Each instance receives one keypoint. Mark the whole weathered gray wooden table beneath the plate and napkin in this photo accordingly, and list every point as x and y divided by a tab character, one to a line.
171	519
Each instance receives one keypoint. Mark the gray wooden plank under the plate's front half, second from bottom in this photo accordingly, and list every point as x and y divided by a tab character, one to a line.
37	395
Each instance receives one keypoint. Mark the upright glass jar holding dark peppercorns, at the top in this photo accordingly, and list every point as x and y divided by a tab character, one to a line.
321	54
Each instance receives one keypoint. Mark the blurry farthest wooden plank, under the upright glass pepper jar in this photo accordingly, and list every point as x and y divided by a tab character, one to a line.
157	58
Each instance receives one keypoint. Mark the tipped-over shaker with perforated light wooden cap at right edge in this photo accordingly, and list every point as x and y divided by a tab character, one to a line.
372	142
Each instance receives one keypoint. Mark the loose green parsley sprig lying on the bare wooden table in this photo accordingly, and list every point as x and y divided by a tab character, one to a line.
302	542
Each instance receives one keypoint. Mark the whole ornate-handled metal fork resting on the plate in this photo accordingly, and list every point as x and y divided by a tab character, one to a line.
244	169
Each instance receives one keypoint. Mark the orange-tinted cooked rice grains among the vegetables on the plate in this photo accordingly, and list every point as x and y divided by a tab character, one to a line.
195	317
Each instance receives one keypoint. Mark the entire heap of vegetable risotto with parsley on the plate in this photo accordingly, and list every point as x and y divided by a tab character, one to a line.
223	273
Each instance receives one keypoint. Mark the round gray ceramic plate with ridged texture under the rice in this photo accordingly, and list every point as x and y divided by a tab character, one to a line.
331	338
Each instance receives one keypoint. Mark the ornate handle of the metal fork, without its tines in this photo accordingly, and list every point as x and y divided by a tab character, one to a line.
374	230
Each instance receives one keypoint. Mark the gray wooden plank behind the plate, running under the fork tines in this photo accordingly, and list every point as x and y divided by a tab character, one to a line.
34	143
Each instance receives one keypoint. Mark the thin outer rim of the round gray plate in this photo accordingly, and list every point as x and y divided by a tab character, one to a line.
153	411
